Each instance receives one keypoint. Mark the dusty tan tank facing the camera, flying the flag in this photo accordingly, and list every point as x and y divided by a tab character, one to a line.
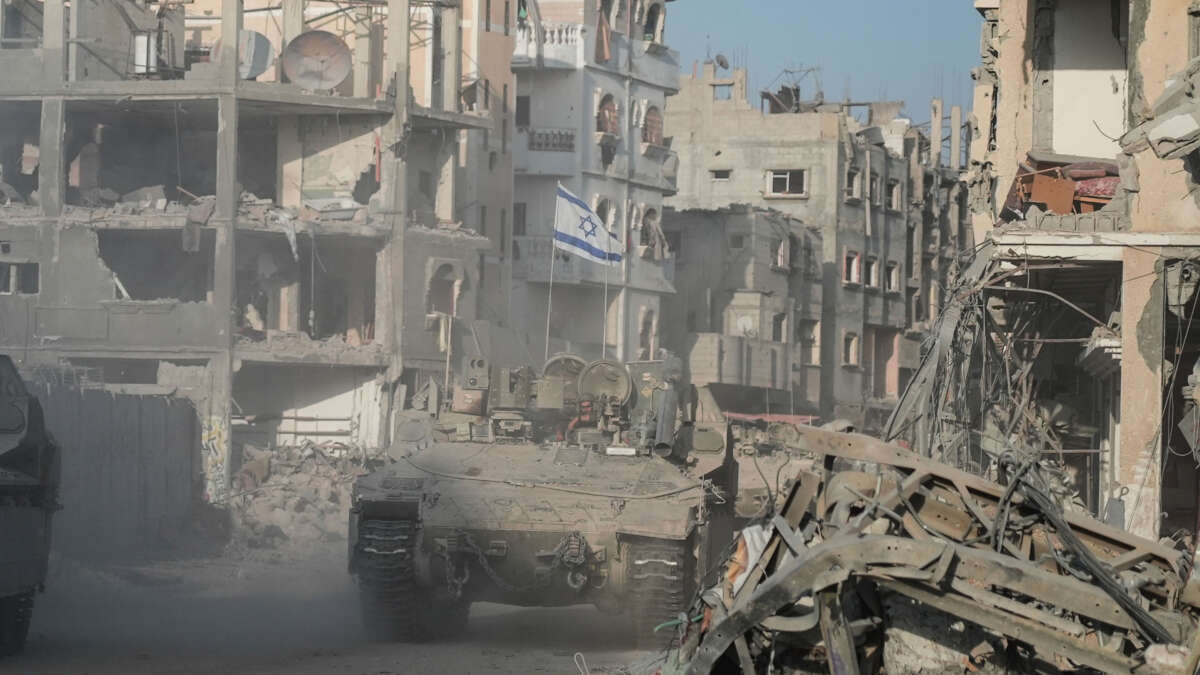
589	485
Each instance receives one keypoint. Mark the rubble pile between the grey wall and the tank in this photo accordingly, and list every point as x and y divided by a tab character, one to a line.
293	497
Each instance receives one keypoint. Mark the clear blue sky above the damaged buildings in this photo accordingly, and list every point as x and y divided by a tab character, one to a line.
907	50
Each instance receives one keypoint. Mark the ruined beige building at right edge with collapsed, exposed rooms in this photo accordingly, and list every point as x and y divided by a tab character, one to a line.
1078	326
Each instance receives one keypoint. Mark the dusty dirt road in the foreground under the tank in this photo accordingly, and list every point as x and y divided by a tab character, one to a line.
299	617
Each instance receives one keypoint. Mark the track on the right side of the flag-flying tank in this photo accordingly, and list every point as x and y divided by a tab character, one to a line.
661	580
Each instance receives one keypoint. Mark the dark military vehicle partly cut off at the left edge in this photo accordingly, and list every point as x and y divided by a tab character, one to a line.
29	479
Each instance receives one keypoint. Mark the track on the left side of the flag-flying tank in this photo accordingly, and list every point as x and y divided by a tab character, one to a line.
394	606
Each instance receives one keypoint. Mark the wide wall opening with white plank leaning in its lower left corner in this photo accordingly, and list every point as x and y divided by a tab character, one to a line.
154	265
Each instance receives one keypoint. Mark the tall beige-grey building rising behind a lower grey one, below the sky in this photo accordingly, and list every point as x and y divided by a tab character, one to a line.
867	188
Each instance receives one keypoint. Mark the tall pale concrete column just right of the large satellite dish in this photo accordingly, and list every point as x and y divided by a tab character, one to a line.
394	184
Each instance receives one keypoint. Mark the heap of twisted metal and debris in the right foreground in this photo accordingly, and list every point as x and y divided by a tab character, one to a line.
879	558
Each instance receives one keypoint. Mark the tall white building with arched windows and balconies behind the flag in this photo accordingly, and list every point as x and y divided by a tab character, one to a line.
592	77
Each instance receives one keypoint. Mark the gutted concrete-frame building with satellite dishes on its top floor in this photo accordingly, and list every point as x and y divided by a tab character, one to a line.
289	230
